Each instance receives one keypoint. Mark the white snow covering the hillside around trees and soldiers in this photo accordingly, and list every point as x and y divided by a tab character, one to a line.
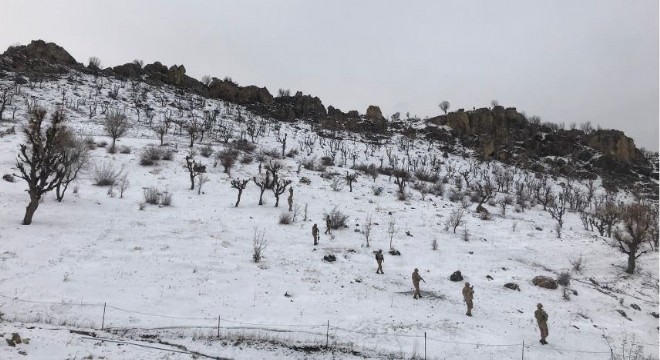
166	276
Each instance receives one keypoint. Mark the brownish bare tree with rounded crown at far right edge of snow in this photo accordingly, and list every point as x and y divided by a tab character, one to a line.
638	226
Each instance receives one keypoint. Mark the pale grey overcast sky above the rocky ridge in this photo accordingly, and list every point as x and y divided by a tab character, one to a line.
563	60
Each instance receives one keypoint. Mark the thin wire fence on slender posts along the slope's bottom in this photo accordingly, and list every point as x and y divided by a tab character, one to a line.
102	316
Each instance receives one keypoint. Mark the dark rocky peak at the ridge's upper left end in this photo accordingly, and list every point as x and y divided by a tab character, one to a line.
38	56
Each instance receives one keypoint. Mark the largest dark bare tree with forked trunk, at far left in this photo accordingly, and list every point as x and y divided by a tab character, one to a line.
40	159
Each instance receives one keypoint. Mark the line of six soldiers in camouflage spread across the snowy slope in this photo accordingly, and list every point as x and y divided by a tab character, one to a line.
467	291
